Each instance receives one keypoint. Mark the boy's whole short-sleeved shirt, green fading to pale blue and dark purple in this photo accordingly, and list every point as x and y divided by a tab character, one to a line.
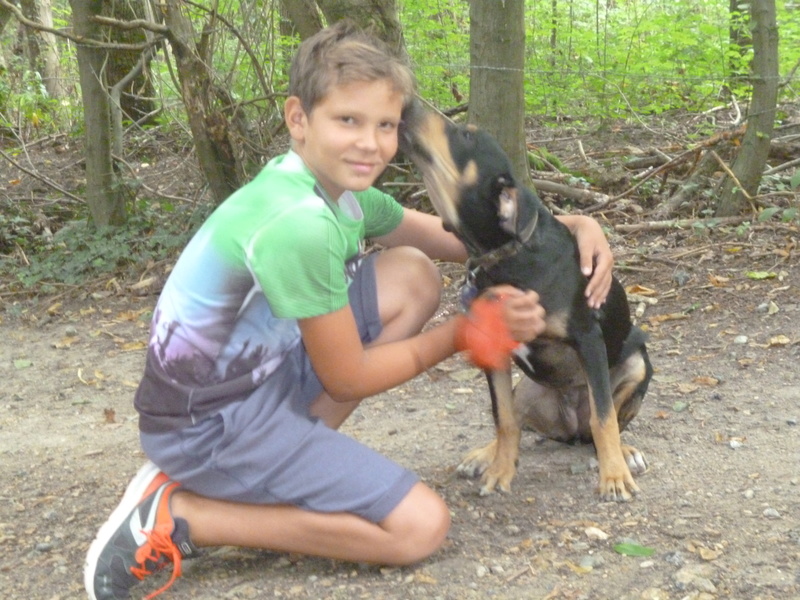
276	251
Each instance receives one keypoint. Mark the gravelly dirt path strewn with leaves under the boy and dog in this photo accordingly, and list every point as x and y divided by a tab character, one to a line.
720	506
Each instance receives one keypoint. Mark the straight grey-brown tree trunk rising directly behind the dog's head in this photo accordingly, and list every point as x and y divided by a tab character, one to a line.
496	89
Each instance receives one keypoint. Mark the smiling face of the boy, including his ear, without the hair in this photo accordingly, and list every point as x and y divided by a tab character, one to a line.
350	136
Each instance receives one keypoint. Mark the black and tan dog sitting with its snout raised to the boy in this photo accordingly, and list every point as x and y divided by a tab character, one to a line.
588	373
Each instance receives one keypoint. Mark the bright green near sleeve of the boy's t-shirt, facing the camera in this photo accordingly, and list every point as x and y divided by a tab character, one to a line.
298	260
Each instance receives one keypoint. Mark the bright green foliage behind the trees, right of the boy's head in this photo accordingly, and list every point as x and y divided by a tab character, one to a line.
606	60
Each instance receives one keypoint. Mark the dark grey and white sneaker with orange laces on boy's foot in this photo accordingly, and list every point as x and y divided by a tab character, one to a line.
140	538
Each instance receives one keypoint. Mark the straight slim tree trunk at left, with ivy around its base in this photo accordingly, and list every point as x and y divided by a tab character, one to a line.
106	204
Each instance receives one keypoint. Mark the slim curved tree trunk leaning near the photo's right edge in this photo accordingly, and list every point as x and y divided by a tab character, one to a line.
750	161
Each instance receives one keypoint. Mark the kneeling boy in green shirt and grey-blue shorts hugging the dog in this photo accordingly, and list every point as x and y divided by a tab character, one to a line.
273	327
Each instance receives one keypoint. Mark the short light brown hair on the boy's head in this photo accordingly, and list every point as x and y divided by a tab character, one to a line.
342	54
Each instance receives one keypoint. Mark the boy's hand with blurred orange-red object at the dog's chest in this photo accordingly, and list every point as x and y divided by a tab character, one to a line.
496	323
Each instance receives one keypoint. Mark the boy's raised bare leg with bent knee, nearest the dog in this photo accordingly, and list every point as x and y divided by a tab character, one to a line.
409	291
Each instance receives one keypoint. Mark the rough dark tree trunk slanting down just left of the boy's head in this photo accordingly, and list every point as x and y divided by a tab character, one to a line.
211	129
